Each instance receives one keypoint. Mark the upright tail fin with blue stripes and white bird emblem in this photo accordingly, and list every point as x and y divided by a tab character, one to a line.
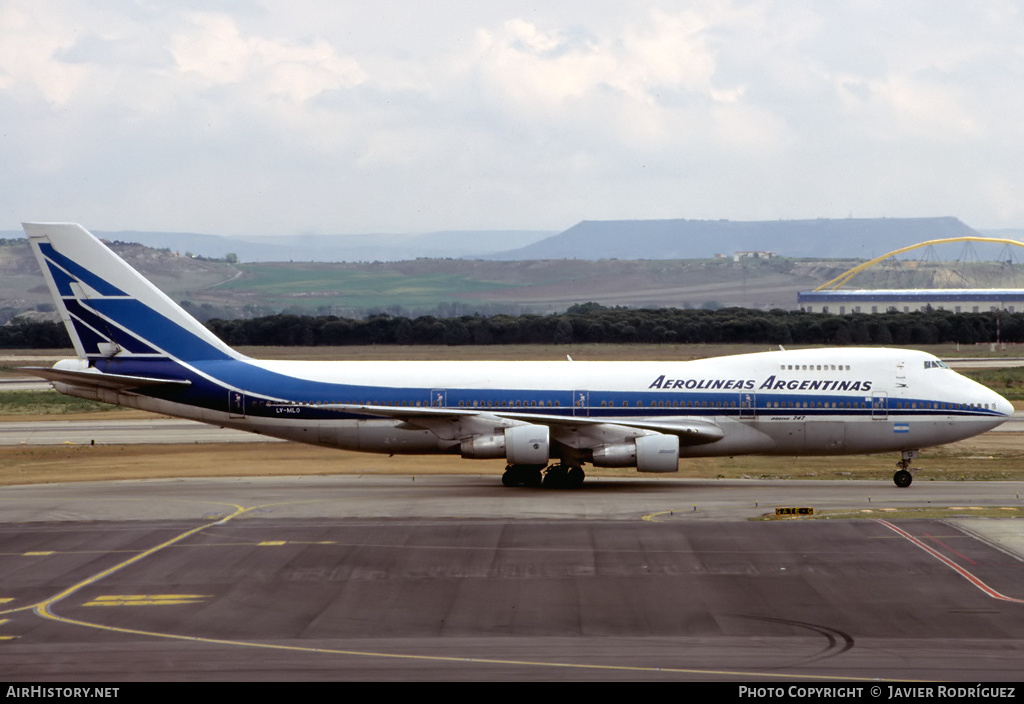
110	310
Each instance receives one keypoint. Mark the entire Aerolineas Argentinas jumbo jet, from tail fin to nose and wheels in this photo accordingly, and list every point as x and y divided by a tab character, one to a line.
138	348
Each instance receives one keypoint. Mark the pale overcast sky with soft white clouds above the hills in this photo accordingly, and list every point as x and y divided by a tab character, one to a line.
337	117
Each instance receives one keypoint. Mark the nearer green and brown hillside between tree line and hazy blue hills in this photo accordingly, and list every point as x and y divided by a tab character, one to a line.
441	287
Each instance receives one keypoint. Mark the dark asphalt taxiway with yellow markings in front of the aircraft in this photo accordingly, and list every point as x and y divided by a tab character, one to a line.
446	578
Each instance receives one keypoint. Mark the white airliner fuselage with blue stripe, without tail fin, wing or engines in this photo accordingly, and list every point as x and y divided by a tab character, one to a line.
833	402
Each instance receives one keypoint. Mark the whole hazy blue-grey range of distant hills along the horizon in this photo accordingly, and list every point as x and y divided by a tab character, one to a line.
591	240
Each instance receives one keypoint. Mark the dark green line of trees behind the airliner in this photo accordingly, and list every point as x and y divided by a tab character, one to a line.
591	324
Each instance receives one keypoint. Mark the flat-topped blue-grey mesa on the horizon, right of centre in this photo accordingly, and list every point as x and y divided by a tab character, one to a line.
858	239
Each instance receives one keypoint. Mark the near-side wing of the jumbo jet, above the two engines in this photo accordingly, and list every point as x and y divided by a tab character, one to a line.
690	431
